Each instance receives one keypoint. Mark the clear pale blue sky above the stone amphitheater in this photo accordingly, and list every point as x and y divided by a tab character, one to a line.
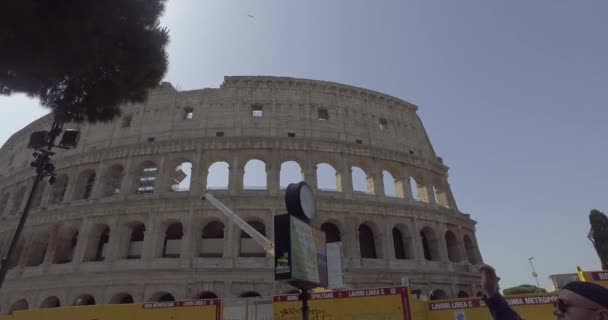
512	93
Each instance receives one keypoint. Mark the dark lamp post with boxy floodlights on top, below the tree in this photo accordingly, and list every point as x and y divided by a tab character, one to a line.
42	142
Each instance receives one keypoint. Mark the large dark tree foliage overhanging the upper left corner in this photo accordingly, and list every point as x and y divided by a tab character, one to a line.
82	58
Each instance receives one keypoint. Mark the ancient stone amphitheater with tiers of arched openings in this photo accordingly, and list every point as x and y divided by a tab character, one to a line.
116	227
